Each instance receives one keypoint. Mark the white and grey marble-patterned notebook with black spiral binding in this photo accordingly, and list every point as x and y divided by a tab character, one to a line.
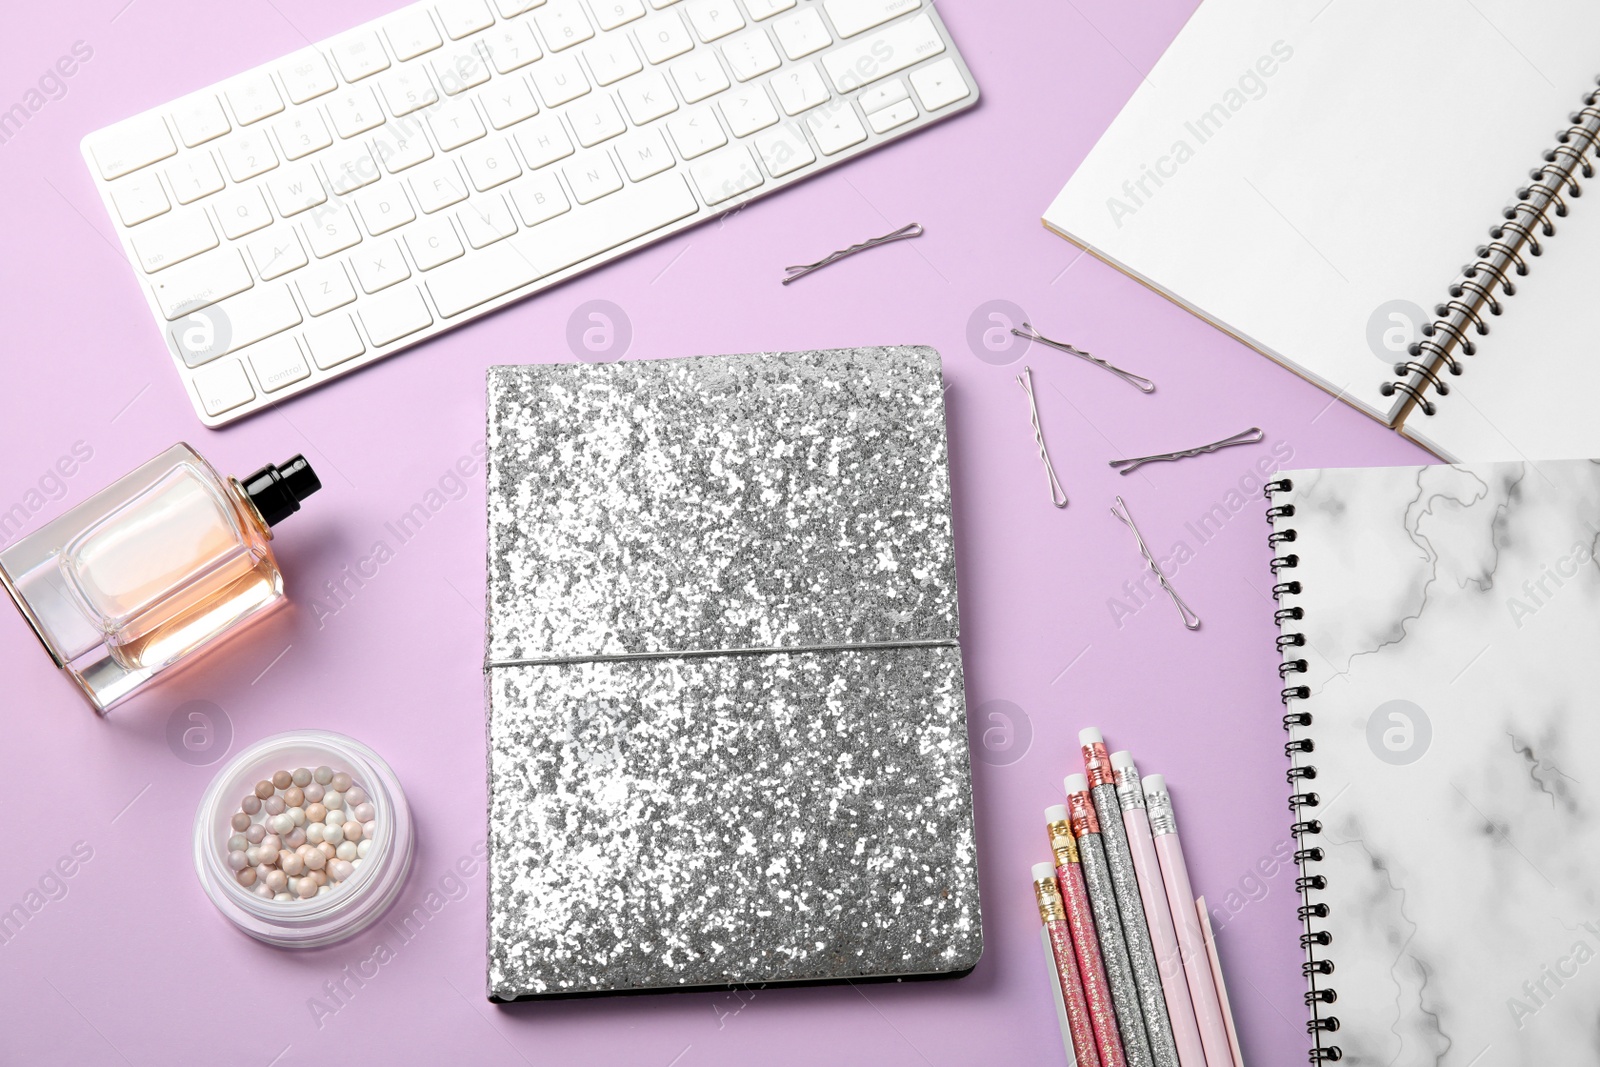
1441	629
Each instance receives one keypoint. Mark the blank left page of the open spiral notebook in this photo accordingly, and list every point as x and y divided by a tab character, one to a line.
1319	161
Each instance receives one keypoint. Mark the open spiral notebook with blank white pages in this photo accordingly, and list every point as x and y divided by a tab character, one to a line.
1346	188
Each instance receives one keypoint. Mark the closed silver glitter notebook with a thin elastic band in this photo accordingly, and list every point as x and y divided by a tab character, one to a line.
727	722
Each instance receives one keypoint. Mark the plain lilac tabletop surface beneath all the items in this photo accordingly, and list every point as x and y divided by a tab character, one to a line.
134	965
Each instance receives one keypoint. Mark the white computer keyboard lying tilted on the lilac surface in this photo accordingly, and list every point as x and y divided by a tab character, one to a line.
361	196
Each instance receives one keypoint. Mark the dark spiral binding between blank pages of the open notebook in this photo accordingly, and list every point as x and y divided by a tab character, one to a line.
1474	292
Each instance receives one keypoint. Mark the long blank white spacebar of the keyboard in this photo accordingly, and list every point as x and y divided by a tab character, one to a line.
559	244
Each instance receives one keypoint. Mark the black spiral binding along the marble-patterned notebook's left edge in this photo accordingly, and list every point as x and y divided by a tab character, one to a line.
1303	801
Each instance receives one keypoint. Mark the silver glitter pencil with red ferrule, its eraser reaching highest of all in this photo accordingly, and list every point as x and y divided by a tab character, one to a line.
1126	884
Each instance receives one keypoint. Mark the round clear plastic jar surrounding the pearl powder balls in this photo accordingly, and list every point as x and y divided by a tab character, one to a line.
322	919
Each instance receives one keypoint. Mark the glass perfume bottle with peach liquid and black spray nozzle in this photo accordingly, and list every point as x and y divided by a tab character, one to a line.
167	561
